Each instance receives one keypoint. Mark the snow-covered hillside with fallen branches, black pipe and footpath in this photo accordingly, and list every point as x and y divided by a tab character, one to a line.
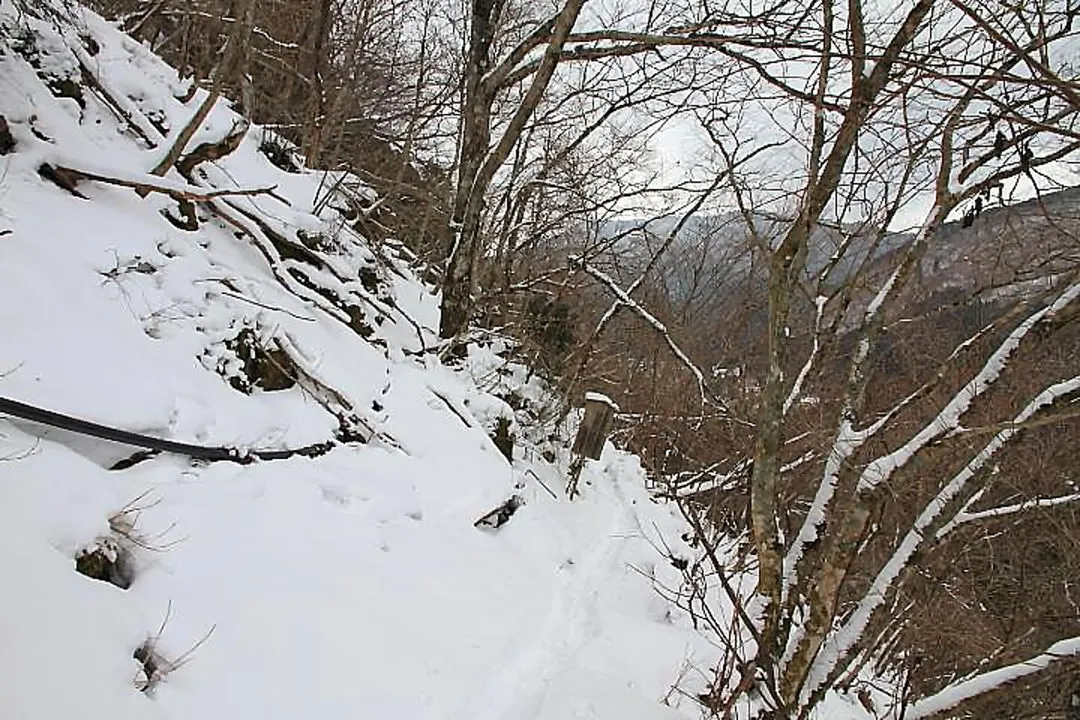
348	586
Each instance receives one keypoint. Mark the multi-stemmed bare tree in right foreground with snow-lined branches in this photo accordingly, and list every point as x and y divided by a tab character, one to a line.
894	120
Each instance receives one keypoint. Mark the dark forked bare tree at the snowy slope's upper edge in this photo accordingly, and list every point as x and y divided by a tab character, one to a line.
510	62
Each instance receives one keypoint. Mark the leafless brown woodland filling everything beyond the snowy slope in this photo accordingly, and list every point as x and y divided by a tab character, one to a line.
843	332
